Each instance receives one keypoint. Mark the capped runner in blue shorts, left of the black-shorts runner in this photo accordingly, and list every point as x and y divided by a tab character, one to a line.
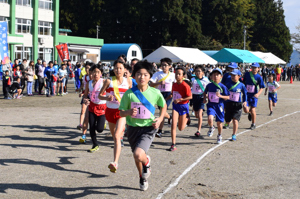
217	93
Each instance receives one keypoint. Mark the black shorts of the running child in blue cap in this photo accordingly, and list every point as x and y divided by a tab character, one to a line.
233	111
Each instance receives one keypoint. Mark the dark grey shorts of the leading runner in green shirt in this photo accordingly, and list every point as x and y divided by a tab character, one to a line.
140	137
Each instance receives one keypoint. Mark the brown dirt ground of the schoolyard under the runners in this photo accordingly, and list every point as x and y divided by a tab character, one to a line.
41	157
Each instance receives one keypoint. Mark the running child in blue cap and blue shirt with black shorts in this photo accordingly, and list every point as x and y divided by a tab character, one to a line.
235	103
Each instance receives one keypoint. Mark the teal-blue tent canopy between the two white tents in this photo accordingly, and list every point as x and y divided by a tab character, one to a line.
227	55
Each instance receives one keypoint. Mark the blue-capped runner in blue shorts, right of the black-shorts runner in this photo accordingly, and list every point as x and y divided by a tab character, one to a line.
255	85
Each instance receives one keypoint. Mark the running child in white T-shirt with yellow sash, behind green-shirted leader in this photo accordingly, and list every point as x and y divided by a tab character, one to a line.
163	80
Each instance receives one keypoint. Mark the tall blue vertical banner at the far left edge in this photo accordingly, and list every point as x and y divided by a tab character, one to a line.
3	43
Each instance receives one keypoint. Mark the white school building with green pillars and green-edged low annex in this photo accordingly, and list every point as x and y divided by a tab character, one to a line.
34	32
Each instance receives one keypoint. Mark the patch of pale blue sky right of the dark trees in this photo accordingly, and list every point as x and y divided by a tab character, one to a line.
291	12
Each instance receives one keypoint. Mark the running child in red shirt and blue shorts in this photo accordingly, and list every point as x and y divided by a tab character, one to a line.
181	93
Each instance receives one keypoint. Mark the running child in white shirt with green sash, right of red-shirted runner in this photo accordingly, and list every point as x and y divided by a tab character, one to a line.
199	84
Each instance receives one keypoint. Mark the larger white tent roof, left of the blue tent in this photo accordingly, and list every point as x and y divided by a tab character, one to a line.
179	54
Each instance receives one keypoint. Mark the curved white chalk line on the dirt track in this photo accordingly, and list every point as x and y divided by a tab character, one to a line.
175	183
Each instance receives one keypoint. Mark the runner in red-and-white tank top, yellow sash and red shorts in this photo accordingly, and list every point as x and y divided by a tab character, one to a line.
115	87
